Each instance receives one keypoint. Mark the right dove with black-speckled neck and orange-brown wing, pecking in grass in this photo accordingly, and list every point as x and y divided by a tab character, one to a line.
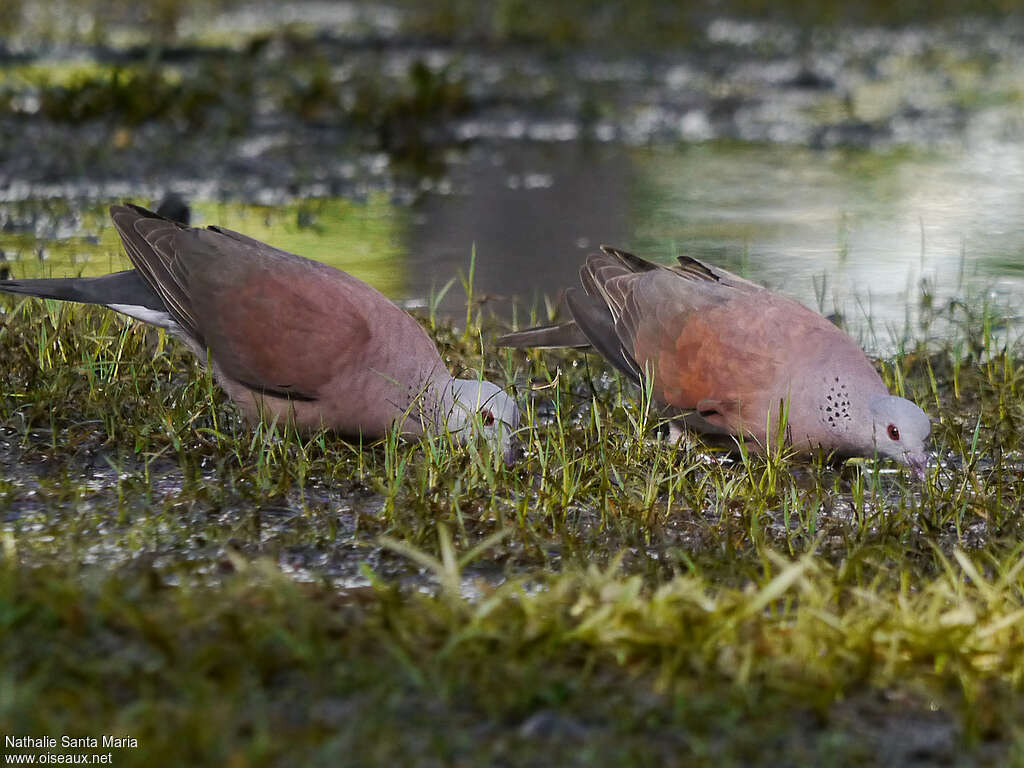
726	358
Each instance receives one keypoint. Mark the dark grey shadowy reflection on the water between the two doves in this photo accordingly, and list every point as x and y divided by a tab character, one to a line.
532	211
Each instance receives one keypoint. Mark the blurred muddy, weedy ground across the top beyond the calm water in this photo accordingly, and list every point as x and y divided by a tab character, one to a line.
252	98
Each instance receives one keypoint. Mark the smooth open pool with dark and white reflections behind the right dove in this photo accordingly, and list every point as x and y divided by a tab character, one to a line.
855	232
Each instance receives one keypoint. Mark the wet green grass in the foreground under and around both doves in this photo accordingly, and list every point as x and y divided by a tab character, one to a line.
230	595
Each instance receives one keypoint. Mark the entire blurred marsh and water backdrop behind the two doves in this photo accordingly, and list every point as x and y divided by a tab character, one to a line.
867	159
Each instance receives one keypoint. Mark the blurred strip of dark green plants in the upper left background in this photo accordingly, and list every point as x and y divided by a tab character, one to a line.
222	94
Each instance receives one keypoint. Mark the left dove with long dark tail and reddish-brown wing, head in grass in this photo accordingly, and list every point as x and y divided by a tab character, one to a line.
288	338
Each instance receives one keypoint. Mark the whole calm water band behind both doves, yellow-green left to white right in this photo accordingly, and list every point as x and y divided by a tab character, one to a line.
854	231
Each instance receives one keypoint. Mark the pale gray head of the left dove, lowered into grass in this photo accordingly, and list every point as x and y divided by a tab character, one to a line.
479	405
